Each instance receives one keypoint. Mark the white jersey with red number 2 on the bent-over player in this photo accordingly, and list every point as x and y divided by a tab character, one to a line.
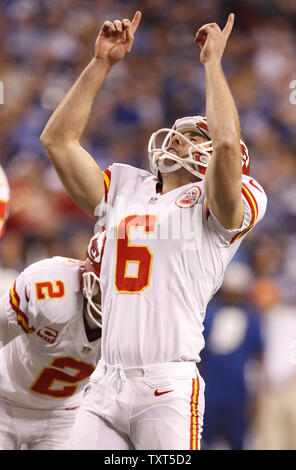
48	365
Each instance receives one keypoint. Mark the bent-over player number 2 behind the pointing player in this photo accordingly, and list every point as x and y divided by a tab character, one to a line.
50	325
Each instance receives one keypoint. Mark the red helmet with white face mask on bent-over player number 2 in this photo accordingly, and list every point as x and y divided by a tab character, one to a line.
91	274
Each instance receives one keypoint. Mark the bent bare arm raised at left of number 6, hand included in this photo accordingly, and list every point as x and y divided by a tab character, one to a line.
76	168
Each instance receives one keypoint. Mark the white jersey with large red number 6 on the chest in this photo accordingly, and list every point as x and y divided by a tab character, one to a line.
165	257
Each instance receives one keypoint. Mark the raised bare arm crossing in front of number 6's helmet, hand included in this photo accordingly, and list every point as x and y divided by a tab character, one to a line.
223	179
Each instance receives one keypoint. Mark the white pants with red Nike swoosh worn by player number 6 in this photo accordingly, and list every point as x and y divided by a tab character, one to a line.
156	407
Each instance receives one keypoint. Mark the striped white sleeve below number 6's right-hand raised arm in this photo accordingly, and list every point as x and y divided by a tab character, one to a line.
255	201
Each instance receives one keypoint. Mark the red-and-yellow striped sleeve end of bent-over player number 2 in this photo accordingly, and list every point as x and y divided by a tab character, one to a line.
18	306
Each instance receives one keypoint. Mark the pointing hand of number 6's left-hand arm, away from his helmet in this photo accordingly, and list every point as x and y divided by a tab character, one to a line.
116	38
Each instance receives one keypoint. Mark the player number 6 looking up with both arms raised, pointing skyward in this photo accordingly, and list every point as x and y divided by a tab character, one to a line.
171	233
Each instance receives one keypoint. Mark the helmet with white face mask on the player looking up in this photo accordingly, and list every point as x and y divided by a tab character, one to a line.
198	154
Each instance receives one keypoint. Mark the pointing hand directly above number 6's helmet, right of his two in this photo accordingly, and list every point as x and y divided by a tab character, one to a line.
212	40
